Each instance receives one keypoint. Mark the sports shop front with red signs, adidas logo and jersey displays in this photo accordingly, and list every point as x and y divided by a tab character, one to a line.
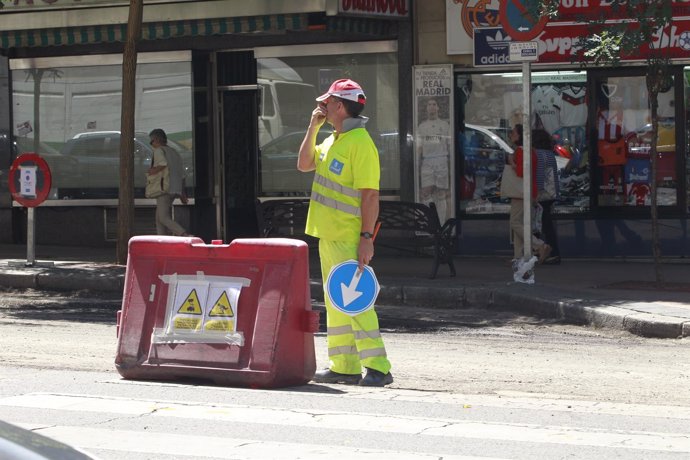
600	118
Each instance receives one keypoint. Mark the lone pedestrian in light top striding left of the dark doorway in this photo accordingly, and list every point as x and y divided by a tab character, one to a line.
166	157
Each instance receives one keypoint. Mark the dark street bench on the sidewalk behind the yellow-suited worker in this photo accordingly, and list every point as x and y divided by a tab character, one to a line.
405	226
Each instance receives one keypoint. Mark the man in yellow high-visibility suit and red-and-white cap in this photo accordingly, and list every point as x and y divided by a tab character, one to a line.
342	214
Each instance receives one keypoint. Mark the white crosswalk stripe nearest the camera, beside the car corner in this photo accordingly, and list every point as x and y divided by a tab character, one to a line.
216	447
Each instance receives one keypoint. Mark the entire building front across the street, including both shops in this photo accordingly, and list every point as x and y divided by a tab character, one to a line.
233	84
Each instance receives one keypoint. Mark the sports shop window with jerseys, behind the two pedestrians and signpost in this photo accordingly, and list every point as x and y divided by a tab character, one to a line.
491	105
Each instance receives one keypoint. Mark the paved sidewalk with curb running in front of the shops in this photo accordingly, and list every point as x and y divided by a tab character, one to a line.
601	292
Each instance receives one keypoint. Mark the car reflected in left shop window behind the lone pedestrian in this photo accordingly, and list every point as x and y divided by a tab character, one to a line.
97	164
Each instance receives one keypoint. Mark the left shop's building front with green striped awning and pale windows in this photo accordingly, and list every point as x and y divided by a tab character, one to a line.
232	83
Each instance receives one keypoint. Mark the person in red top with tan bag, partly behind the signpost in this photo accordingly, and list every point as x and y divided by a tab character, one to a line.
512	188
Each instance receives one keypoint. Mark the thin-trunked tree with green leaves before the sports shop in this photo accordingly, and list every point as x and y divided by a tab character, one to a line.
644	33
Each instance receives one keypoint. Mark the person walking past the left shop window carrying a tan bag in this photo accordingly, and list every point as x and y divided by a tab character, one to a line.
165	182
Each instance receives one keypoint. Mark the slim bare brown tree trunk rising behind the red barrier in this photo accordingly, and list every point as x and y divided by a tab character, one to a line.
125	210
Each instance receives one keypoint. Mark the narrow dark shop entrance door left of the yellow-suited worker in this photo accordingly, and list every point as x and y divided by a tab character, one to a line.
238	151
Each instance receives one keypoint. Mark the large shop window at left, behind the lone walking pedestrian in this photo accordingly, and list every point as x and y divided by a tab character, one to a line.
75	125
